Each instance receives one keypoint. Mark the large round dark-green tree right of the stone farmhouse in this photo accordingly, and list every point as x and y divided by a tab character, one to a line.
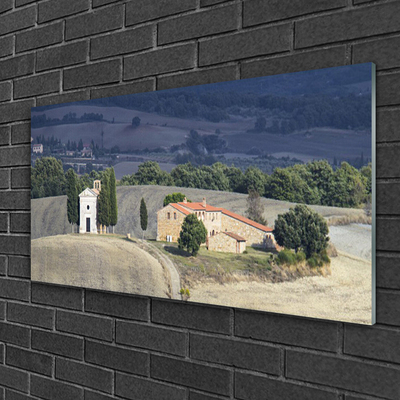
302	229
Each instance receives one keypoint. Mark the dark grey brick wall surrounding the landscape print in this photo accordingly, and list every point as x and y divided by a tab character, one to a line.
69	343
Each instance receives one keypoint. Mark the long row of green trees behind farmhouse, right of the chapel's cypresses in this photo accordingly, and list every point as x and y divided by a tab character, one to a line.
312	183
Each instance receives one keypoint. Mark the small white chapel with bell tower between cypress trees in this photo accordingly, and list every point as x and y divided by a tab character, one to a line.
88	208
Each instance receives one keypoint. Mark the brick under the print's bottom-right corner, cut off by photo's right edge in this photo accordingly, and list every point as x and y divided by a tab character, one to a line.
378	344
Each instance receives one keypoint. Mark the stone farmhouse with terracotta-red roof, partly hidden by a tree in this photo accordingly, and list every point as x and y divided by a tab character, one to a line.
226	231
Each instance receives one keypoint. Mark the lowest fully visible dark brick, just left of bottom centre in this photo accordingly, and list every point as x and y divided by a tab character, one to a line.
198	376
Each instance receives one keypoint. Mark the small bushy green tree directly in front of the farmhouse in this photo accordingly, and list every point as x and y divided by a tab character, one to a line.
193	234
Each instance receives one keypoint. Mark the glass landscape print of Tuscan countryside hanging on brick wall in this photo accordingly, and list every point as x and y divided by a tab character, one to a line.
257	193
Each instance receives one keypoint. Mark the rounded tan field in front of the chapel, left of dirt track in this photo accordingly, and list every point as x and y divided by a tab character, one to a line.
108	262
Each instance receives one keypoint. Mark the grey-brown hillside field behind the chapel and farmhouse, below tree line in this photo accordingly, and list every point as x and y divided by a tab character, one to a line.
49	215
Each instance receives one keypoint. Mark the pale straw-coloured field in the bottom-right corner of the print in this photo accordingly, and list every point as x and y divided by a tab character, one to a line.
345	295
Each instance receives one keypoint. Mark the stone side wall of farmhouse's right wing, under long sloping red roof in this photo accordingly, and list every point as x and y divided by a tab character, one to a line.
253	236
